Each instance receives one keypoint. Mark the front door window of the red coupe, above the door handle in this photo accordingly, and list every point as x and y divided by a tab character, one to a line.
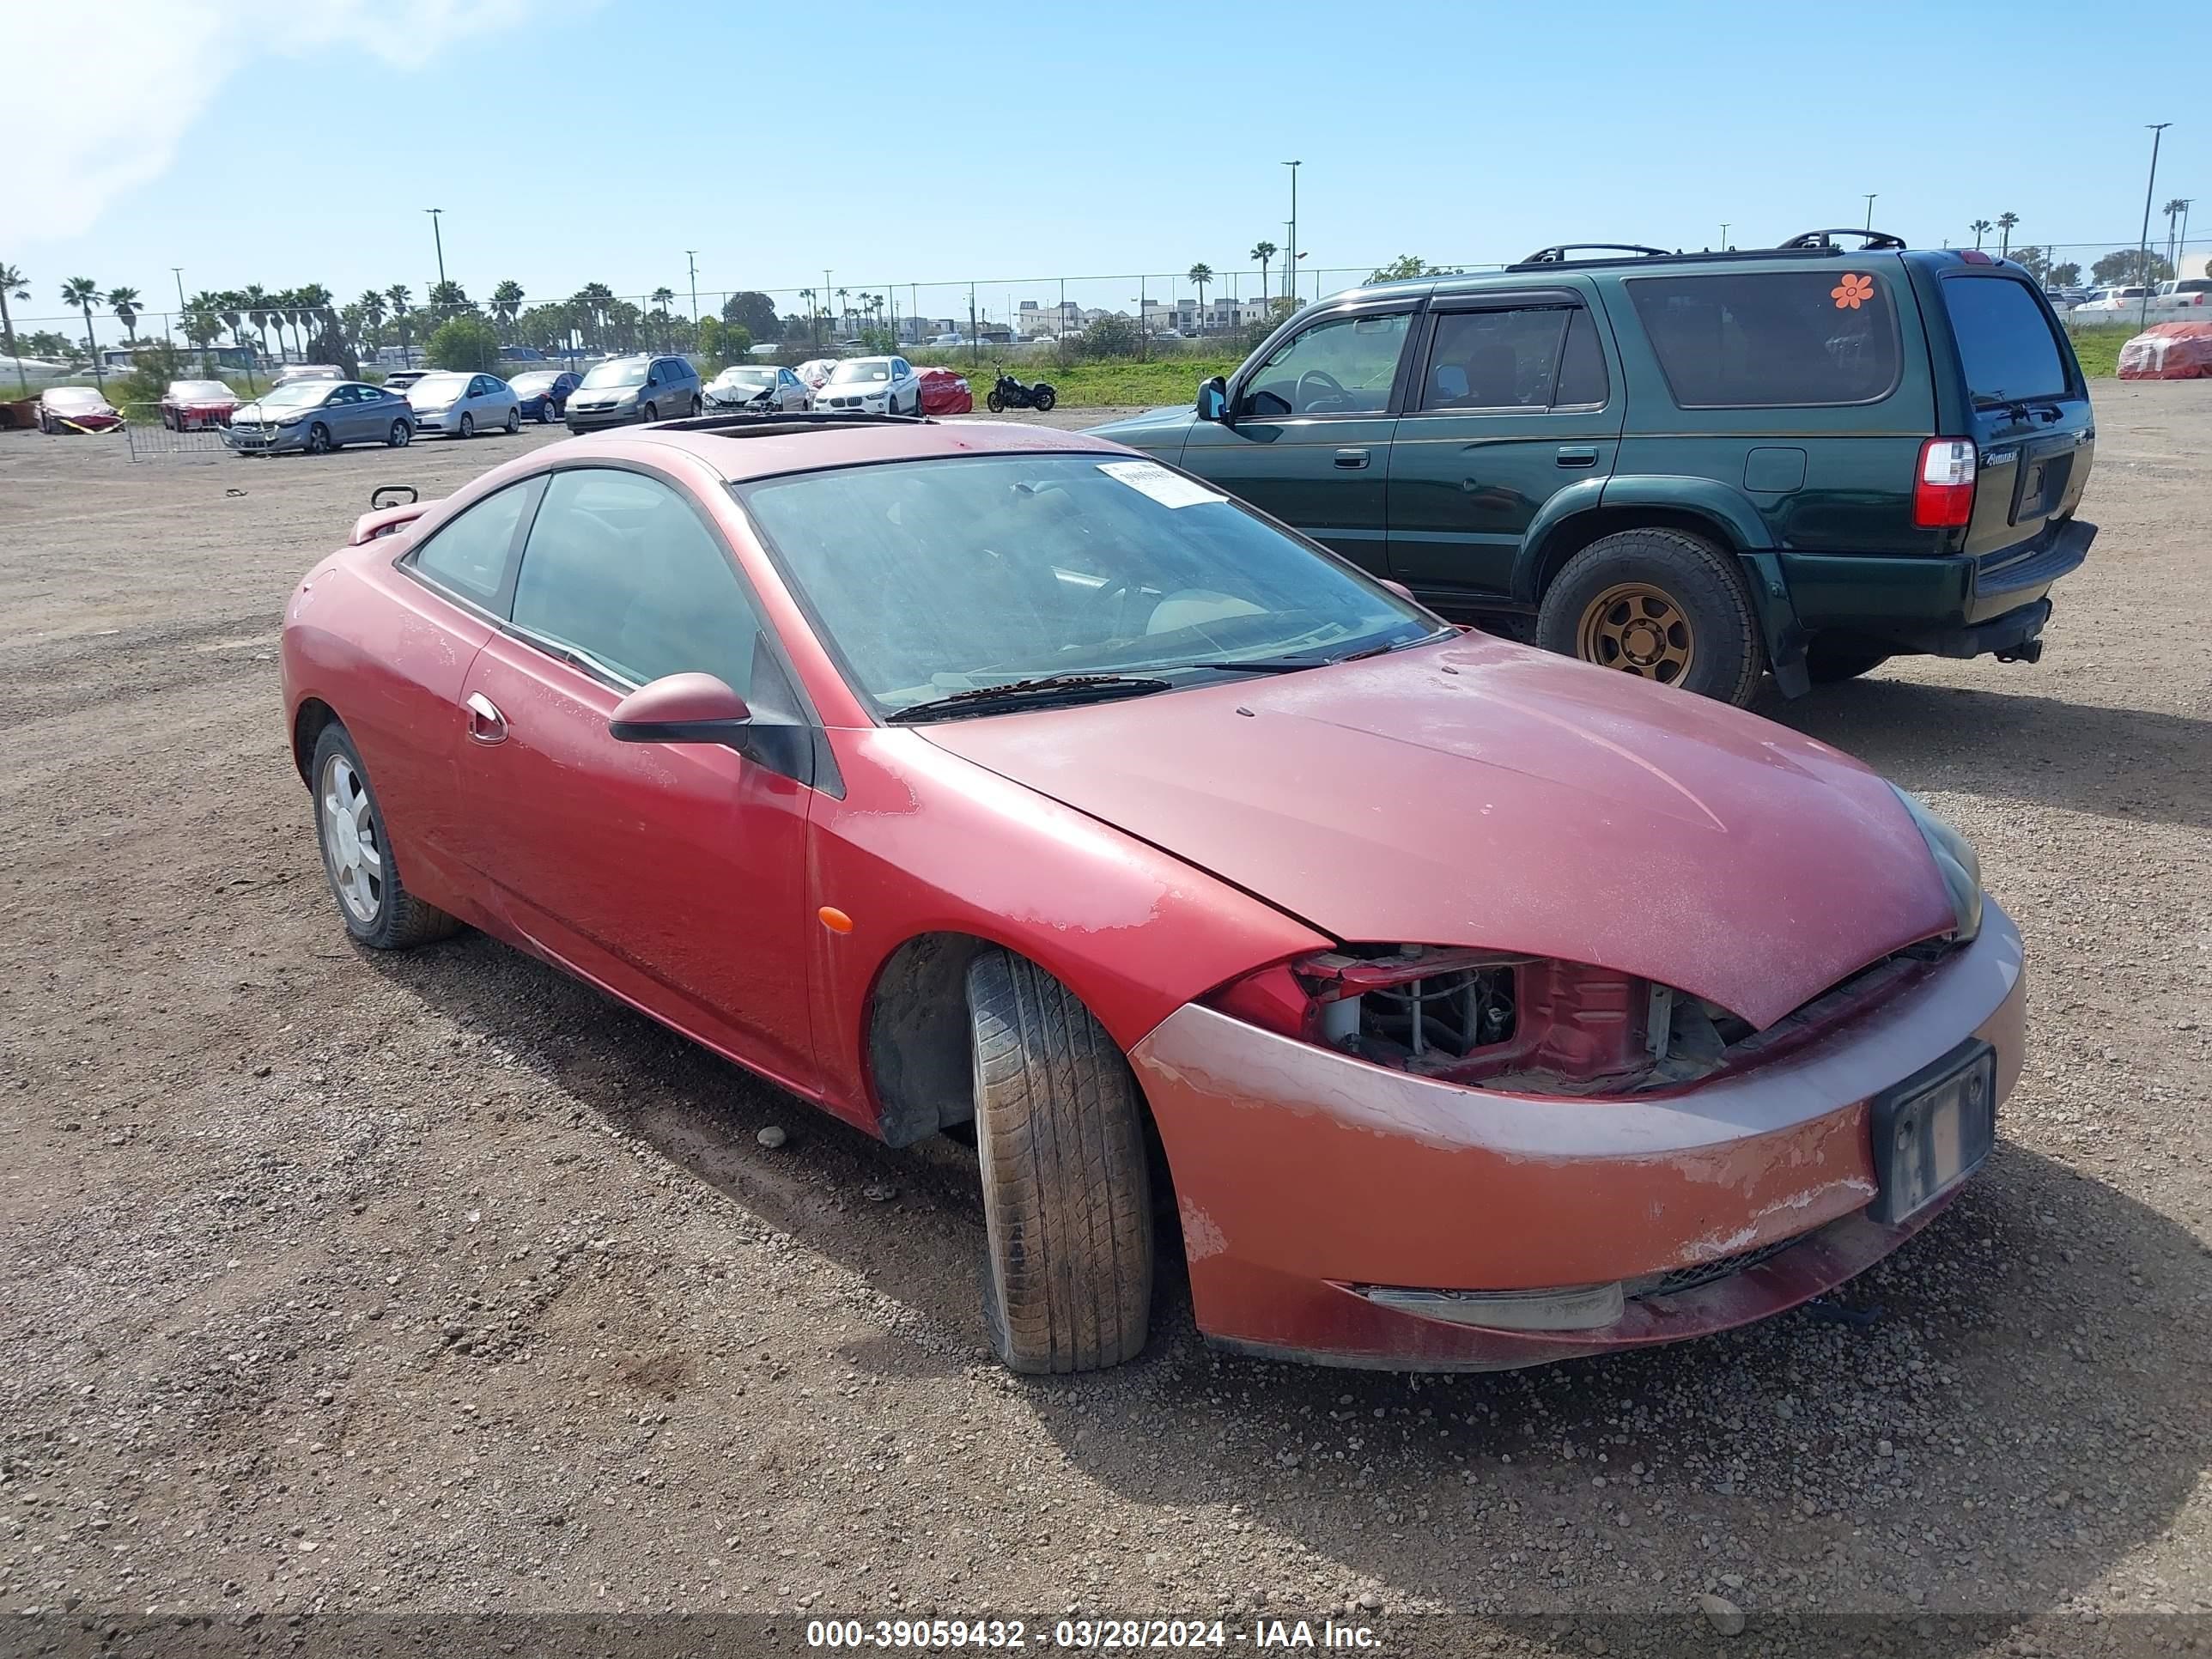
623	570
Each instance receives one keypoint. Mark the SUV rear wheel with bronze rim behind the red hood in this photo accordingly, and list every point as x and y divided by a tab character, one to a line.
1658	605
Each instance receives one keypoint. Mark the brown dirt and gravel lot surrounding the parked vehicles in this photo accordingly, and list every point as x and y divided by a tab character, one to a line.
432	1284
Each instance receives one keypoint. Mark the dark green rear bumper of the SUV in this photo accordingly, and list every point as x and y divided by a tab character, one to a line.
1950	607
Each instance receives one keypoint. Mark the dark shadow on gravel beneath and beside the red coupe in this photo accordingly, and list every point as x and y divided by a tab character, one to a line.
1990	1421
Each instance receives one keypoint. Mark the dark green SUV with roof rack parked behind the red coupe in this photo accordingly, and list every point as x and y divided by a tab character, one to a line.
1691	468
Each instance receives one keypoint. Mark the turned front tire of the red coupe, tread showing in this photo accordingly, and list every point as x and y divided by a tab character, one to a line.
1065	1182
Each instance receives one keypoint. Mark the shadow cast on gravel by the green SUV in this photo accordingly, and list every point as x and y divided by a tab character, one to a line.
2018	747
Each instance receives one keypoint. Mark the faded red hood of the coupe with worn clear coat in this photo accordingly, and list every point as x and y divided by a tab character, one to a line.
1488	795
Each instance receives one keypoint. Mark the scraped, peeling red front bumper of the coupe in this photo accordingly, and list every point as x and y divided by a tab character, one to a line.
1357	1215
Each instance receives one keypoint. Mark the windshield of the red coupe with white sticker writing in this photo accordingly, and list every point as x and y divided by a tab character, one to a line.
939	576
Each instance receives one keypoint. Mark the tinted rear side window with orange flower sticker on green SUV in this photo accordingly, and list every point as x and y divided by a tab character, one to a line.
1771	340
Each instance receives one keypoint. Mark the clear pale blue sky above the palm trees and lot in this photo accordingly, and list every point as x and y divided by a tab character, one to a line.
935	143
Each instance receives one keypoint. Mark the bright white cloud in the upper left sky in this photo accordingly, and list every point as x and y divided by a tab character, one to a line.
156	67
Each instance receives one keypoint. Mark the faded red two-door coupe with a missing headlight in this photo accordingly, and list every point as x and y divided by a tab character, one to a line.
1441	1001
